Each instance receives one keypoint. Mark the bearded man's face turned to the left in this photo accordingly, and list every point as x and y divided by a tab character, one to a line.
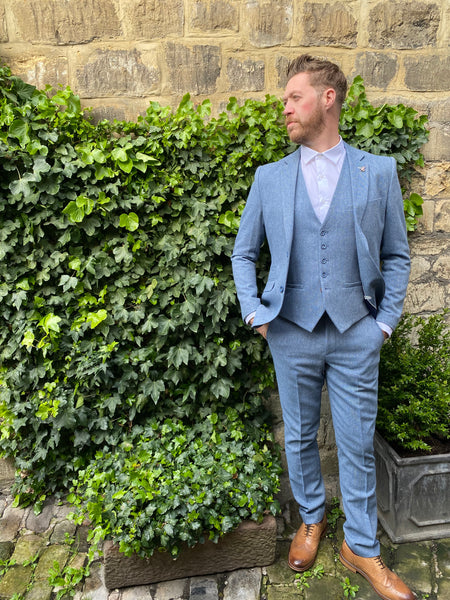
303	110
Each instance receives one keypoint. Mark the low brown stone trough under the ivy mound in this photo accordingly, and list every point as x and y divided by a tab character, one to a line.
250	545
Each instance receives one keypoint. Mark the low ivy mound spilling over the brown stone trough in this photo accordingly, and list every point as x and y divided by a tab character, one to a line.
170	484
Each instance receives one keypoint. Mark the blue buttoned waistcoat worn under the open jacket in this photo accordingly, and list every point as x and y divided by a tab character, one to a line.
323	271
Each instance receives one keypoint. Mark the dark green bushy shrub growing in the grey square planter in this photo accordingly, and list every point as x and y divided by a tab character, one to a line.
414	388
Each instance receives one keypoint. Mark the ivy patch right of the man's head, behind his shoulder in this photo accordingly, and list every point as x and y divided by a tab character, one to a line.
393	130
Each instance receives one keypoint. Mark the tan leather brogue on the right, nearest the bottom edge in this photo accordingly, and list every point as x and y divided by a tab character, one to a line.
386	583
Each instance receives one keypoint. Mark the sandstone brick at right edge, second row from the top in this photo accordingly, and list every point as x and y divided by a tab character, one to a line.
427	73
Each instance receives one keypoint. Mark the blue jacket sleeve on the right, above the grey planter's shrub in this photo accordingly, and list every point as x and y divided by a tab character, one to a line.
394	255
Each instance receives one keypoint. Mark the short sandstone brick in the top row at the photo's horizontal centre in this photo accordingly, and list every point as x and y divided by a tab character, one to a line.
214	16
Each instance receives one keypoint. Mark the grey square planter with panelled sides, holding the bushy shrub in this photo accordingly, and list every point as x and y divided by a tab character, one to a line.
413	494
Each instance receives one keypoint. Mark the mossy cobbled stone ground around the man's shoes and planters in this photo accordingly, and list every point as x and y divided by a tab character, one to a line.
30	545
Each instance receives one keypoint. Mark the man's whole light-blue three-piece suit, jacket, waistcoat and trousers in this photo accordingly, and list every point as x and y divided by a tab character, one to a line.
328	282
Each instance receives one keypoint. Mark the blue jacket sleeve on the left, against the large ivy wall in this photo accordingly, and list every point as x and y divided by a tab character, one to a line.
247	246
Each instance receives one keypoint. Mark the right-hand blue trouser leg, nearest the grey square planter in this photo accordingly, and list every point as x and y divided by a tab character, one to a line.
352	380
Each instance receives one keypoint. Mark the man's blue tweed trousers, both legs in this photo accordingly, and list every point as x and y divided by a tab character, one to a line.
348	362
